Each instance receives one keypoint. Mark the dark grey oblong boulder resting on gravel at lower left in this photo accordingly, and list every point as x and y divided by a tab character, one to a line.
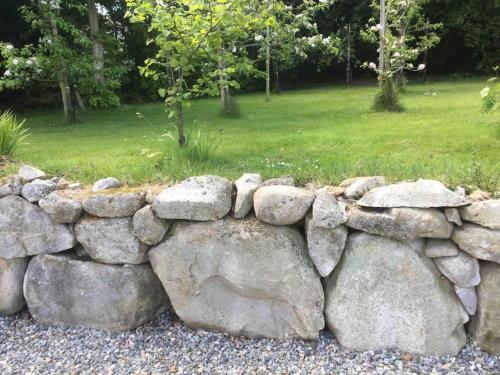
76	292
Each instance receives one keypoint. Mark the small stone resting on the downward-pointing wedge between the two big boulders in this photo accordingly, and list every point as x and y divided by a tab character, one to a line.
327	212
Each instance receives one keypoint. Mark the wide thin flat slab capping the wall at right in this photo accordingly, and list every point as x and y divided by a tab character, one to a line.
421	194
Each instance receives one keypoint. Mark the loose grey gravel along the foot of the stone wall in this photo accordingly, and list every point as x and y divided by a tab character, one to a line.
168	346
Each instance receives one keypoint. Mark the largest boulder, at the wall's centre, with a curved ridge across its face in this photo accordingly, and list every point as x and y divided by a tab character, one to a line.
242	277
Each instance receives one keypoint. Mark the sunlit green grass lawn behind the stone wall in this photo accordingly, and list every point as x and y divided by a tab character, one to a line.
322	134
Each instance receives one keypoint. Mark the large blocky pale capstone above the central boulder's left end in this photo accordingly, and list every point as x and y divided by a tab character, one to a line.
200	198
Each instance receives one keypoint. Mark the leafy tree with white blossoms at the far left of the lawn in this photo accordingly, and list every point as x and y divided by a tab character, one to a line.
61	55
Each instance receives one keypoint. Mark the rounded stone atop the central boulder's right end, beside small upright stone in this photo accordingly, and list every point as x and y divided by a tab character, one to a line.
282	205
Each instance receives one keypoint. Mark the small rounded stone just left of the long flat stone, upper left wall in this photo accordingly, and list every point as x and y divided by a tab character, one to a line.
62	206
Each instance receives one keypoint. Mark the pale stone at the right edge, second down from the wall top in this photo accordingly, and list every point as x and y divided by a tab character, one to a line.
479	242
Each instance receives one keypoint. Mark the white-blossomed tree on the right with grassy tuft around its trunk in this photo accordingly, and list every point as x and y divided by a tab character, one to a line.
402	35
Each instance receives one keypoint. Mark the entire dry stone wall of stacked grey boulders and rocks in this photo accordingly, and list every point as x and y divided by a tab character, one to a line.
403	265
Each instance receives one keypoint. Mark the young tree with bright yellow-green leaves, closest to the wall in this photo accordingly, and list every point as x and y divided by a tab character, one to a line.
191	37
